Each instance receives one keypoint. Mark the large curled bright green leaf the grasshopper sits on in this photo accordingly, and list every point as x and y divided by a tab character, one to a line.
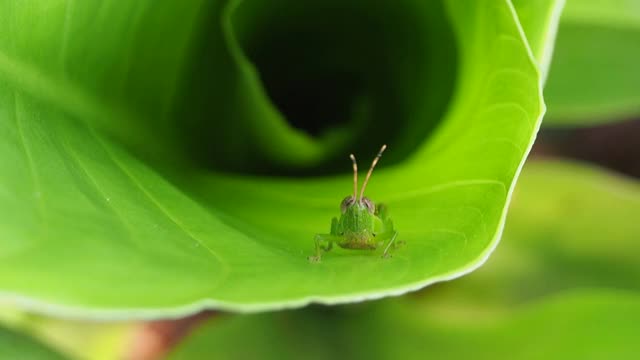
89	229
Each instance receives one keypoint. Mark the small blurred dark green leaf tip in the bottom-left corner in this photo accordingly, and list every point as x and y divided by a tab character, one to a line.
17	346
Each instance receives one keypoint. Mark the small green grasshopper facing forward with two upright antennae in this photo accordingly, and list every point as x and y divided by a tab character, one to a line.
362	225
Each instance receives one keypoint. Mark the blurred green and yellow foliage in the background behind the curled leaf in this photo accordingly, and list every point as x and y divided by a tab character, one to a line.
562	284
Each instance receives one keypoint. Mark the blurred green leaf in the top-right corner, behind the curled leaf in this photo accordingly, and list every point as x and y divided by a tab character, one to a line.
594	74
